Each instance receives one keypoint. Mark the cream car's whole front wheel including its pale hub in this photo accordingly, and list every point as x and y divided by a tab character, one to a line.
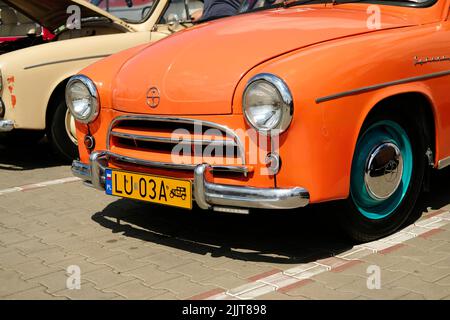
62	133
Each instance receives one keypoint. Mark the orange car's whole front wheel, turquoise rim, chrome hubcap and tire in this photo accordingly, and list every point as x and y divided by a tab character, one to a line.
386	177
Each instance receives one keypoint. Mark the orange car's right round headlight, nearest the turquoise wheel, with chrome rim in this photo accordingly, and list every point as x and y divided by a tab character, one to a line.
267	104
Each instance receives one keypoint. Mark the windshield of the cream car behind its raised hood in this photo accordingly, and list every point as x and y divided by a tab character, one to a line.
132	11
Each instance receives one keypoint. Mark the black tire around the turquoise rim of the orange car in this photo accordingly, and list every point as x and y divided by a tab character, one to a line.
362	229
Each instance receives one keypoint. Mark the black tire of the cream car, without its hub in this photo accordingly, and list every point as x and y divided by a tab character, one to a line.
58	136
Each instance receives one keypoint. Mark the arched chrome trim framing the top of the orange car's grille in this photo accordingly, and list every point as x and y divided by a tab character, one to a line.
223	128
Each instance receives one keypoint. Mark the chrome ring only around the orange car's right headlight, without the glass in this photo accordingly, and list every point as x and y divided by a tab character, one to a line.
286	97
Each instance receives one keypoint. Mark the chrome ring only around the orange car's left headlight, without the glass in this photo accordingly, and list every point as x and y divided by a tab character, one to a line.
90	85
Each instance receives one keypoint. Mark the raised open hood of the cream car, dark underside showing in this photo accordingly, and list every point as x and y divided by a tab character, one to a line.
53	14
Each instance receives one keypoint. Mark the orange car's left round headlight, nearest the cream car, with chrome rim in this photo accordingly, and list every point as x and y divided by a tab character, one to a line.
82	99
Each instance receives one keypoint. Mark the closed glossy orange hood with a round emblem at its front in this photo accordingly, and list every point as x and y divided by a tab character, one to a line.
196	71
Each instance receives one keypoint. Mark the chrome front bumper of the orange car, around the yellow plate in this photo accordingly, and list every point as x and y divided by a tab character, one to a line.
207	195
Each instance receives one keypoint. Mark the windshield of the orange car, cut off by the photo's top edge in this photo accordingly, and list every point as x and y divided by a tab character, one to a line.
251	5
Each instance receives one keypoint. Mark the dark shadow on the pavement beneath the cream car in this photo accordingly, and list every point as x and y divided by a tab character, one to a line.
28	156
